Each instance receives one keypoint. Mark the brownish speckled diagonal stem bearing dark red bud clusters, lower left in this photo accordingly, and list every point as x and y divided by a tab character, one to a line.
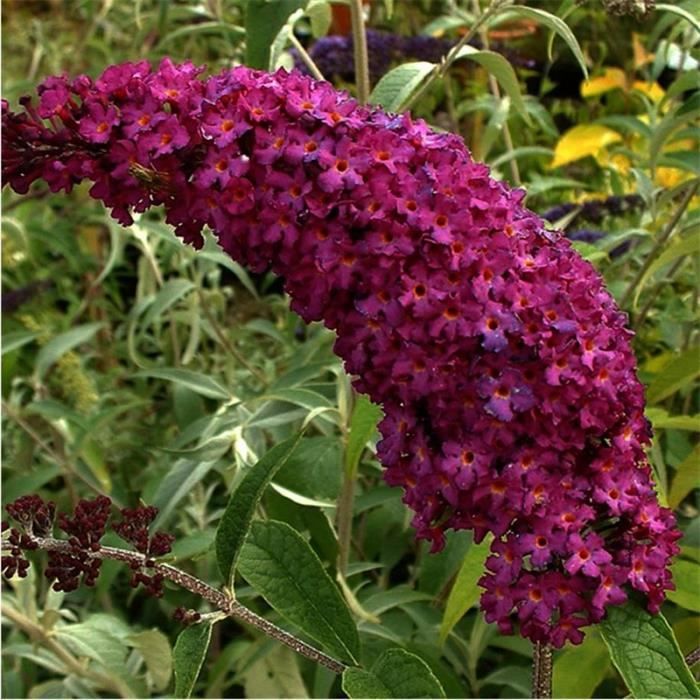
216	598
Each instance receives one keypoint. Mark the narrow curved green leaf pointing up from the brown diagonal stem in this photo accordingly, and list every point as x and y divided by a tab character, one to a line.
235	522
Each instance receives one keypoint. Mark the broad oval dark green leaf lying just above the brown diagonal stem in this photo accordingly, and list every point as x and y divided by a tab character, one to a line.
280	565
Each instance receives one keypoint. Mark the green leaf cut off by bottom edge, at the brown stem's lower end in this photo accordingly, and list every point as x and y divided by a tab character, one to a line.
396	674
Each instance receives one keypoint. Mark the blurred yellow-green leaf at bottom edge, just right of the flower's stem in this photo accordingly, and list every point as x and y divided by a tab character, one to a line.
579	670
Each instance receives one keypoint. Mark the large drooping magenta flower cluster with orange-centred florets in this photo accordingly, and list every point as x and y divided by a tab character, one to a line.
502	364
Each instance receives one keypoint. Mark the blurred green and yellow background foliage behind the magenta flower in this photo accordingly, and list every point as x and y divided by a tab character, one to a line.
135	368
